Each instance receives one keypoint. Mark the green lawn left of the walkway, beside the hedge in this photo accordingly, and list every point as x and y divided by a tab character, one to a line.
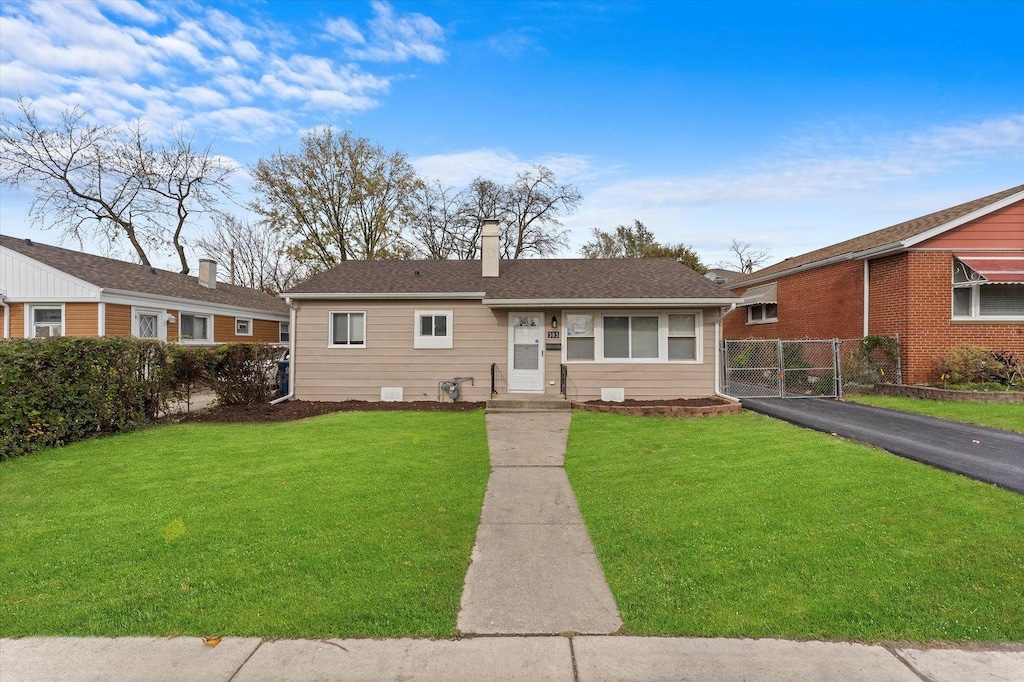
346	525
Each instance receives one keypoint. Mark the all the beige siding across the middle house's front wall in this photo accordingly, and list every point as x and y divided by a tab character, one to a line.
481	337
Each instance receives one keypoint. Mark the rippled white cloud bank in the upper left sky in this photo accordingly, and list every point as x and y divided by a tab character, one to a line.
122	61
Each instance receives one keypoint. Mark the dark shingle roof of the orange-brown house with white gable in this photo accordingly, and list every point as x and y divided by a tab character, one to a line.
110	274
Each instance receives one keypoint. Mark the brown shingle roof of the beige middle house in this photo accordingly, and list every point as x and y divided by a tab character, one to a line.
521	280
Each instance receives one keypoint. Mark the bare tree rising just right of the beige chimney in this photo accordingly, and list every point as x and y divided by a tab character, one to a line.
535	202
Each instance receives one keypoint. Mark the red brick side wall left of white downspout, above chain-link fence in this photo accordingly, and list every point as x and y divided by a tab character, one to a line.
822	304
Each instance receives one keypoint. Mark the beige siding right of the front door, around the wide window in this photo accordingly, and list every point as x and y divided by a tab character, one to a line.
649	381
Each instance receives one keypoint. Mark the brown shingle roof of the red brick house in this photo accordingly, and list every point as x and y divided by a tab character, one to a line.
894	234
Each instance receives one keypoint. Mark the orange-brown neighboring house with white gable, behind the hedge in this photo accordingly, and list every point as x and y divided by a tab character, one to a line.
50	291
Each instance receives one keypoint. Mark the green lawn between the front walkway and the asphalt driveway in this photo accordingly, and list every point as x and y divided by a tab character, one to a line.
747	527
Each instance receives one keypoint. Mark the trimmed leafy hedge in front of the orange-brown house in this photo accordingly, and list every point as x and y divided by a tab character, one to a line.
59	391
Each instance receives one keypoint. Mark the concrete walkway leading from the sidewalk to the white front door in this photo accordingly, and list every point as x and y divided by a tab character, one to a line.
534	570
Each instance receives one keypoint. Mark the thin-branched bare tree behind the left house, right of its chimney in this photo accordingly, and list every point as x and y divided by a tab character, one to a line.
255	255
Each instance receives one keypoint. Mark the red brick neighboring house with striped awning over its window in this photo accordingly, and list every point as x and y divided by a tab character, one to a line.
948	279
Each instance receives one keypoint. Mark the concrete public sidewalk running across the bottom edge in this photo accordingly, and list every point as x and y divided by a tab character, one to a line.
513	659
